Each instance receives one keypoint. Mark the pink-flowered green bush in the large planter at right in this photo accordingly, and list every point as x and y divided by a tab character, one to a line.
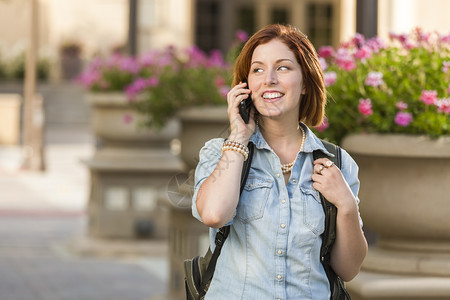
405	83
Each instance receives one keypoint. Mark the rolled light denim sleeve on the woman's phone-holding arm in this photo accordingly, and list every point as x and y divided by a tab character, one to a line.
209	157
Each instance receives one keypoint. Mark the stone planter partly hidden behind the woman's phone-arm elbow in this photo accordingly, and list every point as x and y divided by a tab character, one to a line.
187	236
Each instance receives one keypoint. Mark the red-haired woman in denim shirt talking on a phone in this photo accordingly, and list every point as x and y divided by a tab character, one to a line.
272	251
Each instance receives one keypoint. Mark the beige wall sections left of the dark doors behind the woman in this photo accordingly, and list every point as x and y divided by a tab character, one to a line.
98	24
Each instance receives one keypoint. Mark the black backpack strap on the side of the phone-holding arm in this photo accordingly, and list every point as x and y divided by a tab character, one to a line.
223	232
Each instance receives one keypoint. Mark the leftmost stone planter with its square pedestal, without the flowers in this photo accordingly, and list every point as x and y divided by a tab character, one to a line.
129	171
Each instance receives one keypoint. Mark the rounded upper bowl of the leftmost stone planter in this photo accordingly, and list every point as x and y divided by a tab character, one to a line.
114	121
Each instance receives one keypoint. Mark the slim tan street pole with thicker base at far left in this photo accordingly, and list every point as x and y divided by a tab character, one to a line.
33	116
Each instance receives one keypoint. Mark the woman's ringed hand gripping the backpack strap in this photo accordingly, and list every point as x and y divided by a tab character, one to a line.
330	182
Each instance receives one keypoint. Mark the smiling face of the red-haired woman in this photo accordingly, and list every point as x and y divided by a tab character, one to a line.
275	80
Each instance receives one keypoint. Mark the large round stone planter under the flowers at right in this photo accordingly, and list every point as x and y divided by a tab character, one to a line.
405	199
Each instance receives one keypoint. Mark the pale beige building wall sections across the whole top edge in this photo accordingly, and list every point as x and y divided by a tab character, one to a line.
102	24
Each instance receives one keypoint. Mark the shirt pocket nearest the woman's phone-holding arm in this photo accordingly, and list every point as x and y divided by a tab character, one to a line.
253	199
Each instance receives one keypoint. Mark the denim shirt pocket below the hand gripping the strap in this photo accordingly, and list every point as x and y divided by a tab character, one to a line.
313	214
